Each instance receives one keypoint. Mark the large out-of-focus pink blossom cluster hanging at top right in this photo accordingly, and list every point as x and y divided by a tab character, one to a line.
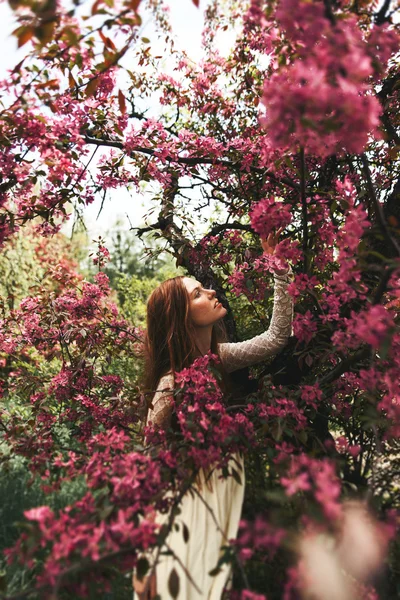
323	101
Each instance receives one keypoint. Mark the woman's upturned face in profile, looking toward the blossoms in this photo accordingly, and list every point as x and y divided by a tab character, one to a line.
204	307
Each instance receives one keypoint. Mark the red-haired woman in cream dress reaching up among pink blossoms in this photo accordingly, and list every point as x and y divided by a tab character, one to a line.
182	319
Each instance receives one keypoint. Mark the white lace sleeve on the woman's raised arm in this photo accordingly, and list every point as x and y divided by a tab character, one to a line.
271	342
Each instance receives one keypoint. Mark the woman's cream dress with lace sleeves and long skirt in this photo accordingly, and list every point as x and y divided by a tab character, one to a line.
212	512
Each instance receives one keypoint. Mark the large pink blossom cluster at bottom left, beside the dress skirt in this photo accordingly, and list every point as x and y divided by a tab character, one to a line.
80	530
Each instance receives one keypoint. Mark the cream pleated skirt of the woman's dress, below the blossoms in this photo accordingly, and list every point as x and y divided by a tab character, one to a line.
212	519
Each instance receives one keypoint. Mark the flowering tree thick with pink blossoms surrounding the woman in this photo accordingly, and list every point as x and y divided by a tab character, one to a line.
298	127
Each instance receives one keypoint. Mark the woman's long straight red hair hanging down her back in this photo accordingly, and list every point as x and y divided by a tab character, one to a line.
170	343
